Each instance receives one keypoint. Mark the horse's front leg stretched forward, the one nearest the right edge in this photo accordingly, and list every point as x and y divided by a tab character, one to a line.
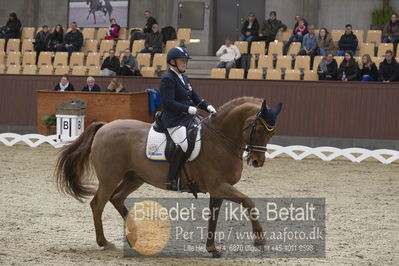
229	192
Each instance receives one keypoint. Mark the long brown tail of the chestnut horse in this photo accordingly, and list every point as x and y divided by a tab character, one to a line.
74	162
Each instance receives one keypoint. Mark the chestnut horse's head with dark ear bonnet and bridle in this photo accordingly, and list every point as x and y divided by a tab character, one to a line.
261	129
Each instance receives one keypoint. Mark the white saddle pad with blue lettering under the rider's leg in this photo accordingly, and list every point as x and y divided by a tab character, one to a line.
156	144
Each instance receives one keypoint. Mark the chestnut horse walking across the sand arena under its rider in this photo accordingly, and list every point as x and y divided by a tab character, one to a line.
117	151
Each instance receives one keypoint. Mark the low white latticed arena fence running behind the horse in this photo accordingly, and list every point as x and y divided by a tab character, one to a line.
357	155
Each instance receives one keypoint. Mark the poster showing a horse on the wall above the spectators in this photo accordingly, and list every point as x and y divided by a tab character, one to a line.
97	13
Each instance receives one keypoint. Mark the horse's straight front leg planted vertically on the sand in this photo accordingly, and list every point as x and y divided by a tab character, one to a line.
214	207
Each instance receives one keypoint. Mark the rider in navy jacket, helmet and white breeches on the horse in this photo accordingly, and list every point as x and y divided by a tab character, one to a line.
180	103
